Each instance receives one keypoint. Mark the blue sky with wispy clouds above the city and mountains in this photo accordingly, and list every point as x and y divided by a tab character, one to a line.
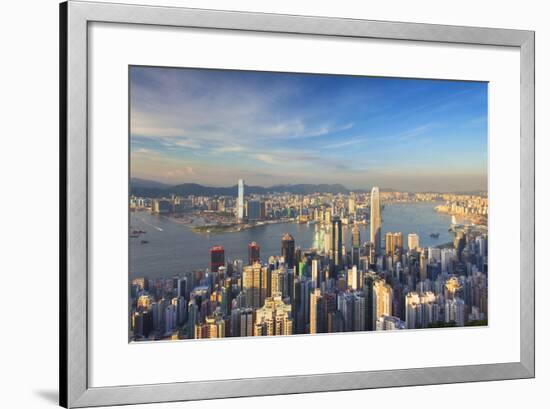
215	126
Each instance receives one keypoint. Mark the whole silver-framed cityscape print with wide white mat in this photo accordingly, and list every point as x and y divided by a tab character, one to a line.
292	193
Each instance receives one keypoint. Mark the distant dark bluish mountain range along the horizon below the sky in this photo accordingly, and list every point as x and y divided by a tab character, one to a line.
149	188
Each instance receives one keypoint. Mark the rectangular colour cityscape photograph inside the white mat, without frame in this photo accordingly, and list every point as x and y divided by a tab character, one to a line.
269	203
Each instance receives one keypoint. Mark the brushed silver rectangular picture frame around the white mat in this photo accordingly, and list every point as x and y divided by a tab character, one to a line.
74	19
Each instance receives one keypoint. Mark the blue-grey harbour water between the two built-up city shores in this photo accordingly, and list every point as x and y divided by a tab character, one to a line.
172	247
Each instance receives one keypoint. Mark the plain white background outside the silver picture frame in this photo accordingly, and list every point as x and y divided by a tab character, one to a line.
29	199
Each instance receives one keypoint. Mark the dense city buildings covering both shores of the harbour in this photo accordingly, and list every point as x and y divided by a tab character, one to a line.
333	286
